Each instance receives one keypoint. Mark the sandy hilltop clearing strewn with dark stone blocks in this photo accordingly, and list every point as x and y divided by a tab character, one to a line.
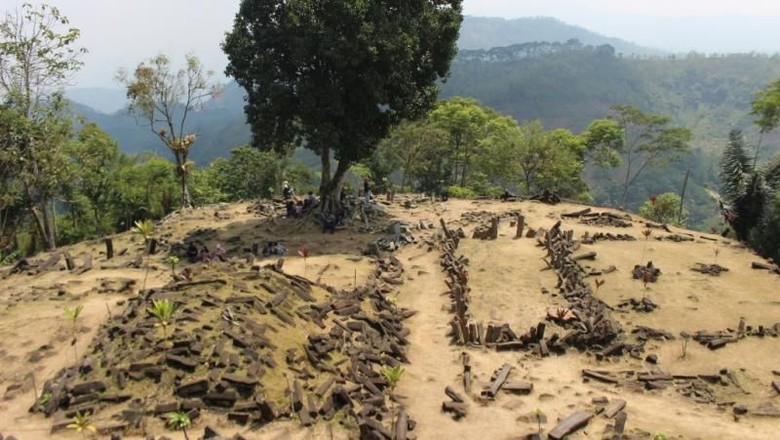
526	331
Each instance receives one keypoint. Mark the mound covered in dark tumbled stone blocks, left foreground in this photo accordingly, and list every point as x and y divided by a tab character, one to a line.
256	345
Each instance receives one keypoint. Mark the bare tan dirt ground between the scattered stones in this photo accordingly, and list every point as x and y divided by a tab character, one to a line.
508	285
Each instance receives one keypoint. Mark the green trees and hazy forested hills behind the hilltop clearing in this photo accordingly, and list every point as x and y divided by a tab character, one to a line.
567	117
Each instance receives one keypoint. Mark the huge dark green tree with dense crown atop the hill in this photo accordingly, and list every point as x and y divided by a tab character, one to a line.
337	75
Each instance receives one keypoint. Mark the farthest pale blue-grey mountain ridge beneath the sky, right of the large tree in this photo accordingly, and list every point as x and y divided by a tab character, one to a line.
485	33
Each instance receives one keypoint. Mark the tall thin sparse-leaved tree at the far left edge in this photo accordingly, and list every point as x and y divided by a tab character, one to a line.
37	55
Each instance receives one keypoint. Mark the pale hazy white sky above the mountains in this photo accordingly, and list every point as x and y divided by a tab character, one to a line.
120	33
